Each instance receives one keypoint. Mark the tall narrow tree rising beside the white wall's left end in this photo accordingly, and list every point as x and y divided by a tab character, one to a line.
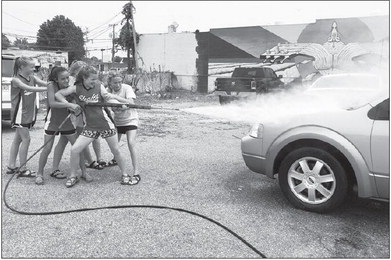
126	40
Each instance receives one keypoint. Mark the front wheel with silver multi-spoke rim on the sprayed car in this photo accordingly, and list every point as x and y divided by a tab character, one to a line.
313	179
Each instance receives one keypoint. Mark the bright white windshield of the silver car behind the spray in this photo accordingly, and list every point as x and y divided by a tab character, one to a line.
348	91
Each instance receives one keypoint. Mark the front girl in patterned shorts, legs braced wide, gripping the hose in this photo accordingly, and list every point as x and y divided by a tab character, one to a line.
97	121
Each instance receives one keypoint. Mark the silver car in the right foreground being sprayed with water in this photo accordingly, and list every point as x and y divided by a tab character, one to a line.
319	157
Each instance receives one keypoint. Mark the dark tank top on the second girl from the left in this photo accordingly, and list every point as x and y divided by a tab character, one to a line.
55	116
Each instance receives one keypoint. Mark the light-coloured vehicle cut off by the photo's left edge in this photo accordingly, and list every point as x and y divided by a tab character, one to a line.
7	69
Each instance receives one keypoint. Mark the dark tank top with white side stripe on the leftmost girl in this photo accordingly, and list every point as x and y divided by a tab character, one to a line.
23	103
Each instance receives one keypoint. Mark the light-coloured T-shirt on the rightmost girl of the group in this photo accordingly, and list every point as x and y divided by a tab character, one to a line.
127	116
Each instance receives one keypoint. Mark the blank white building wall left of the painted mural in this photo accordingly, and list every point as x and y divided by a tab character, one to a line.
175	52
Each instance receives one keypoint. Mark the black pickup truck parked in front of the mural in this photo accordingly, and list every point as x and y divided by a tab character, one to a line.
247	80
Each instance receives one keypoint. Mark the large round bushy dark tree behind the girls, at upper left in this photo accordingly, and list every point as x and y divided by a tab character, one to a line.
61	33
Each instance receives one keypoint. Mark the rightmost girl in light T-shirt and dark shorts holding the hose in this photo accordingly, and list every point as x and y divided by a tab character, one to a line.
125	119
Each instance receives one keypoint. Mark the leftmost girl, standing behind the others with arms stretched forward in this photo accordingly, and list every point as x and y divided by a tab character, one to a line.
23	111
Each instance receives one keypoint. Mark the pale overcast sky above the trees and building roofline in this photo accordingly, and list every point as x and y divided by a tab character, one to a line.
23	18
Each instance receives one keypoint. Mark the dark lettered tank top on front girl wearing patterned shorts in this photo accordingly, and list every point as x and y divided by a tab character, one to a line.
95	118
